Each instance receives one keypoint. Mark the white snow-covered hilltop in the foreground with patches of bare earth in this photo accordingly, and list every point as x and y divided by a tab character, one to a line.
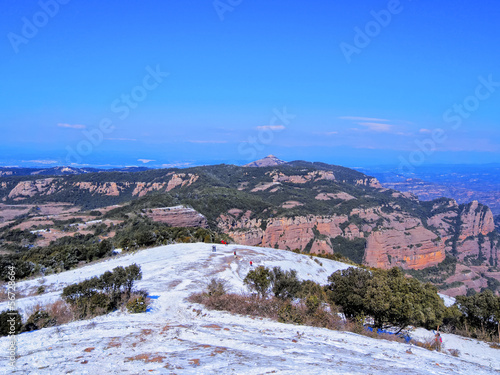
183	338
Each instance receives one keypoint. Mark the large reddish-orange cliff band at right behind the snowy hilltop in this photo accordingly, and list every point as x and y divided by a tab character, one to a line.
399	239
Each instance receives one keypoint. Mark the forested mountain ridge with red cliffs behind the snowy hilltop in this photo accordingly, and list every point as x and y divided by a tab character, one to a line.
313	207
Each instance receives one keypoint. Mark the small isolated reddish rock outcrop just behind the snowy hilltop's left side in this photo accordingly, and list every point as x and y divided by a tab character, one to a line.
178	216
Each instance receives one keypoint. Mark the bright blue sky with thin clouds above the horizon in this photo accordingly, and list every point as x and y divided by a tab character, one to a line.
164	83
